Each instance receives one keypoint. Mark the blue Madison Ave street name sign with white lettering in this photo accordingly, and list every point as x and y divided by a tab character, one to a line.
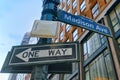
83	22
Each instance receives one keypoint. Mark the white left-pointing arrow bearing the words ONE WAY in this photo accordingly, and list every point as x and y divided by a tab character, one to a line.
27	54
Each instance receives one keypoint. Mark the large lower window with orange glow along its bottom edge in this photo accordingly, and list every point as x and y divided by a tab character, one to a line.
101	68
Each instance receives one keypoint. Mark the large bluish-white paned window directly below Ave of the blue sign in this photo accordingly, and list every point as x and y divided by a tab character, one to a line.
92	44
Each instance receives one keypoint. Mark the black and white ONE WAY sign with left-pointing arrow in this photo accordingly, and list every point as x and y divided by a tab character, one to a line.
44	54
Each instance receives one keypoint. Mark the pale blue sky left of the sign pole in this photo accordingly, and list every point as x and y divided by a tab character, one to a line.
16	18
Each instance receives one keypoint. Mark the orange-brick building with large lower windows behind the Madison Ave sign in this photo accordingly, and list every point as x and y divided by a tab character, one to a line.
99	54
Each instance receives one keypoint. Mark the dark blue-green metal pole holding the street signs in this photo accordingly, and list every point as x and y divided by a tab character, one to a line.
49	13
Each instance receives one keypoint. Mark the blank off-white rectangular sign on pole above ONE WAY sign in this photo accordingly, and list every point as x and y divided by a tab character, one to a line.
45	29
